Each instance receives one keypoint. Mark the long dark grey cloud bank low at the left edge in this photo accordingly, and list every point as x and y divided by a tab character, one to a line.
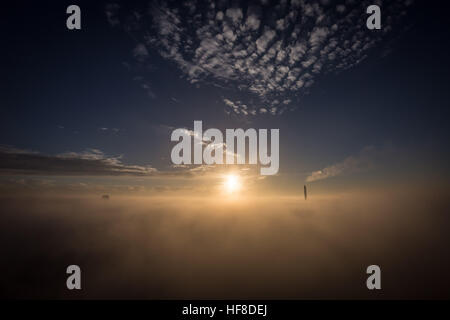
91	162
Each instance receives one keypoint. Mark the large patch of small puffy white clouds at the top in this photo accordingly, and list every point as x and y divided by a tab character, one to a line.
268	54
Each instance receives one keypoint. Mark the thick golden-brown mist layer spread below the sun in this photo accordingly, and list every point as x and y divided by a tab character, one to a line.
216	248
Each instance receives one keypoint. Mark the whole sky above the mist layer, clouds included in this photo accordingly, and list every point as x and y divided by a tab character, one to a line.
347	100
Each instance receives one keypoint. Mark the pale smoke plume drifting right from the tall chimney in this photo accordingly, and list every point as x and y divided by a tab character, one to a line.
357	163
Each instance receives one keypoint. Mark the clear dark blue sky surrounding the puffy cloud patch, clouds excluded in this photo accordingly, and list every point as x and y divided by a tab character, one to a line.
62	87
